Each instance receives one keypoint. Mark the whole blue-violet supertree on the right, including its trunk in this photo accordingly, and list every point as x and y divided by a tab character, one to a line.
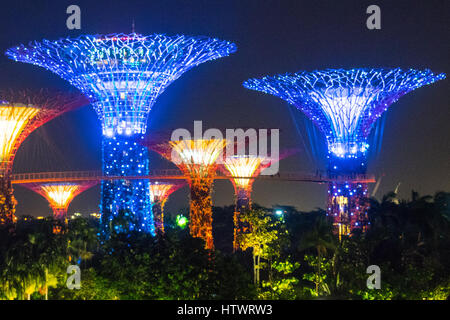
344	104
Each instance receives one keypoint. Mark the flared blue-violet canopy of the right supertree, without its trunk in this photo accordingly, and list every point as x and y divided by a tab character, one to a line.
344	104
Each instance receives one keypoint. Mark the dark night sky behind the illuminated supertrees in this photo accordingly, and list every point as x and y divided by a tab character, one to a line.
272	37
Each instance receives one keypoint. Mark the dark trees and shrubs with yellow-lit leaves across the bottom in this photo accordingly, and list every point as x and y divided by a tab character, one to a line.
298	257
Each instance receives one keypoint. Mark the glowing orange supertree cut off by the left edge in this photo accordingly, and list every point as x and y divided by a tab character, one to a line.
21	112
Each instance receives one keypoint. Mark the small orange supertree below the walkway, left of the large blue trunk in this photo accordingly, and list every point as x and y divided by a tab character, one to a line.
60	194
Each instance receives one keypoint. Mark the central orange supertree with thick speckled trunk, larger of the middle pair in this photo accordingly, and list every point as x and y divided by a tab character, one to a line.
197	160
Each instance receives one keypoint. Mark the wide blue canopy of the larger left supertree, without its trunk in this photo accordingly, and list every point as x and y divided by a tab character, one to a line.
122	74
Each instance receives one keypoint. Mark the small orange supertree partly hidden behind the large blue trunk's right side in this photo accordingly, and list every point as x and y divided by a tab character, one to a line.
159	193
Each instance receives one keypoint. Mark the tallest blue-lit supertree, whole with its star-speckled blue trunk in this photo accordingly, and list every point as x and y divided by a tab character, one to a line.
123	75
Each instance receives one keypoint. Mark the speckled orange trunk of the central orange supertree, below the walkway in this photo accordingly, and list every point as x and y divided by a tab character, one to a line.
201	211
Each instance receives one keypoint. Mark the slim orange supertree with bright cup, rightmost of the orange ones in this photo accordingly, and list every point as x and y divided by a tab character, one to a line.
240	167
